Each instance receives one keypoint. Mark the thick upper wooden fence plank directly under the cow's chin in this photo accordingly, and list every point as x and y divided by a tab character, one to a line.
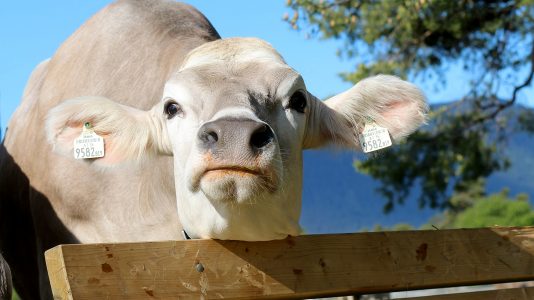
298	267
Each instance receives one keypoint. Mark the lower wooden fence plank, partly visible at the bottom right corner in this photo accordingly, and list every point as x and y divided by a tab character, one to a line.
523	293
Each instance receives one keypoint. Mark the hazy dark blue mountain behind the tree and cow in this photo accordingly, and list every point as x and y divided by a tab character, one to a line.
338	199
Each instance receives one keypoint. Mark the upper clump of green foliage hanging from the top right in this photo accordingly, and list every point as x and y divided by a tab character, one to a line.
403	36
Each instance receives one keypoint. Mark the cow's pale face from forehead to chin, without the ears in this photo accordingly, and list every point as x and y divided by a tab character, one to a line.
236	127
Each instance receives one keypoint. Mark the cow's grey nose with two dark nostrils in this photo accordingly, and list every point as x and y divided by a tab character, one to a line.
224	134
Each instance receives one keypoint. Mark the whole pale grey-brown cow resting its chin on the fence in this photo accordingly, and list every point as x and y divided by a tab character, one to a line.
200	134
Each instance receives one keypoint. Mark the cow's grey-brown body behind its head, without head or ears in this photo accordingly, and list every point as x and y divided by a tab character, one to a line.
125	53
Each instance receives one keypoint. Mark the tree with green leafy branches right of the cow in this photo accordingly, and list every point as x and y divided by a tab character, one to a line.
420	40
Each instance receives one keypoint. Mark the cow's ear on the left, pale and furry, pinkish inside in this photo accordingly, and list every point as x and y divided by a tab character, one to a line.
129	134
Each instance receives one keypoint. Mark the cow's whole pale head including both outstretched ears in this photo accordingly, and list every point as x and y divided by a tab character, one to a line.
236	118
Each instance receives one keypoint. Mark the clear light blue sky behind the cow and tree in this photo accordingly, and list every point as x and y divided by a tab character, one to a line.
29	36
